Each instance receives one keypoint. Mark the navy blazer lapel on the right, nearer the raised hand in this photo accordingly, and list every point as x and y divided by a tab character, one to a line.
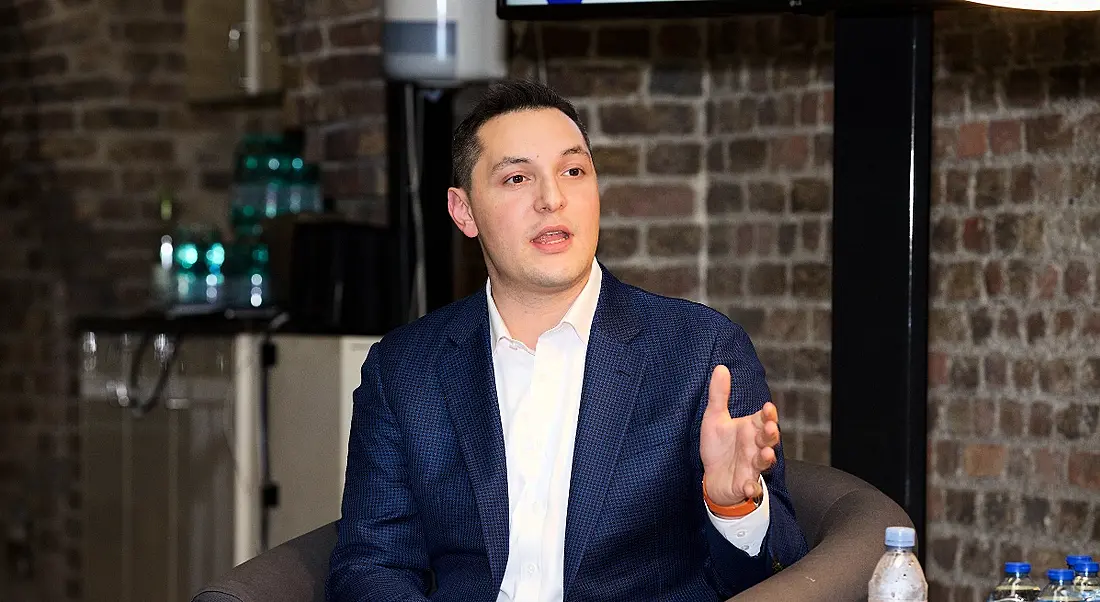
613	373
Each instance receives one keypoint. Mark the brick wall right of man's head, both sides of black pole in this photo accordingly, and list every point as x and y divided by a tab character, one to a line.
714	150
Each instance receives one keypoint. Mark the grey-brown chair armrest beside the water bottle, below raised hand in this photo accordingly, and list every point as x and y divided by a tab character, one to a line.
840	567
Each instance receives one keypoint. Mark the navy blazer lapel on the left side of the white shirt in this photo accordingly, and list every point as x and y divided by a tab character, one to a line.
470	391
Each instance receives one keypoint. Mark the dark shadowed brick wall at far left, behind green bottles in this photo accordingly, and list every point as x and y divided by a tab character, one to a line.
92	124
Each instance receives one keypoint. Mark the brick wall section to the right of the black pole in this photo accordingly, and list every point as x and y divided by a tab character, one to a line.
1015	325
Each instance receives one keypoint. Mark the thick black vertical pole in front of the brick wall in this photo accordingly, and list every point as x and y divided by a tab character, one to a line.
883	133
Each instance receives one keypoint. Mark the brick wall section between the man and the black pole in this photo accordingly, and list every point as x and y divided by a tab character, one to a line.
713	143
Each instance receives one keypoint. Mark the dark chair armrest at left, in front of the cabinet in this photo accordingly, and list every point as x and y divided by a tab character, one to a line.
294	572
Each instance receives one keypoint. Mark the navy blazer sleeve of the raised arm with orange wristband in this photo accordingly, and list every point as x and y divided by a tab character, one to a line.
785	543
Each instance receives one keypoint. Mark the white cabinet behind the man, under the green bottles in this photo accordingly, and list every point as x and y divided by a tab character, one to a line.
173	497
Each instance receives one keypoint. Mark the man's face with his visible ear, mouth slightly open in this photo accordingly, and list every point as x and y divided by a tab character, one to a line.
534	202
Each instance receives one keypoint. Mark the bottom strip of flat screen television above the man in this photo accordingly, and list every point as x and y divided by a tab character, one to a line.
537	10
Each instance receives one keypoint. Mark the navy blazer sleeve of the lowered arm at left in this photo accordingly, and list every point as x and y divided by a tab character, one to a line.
381	554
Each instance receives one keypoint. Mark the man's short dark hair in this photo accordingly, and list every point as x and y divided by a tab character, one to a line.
502	98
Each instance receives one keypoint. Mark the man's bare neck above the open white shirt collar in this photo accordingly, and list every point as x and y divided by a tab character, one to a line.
530	315
